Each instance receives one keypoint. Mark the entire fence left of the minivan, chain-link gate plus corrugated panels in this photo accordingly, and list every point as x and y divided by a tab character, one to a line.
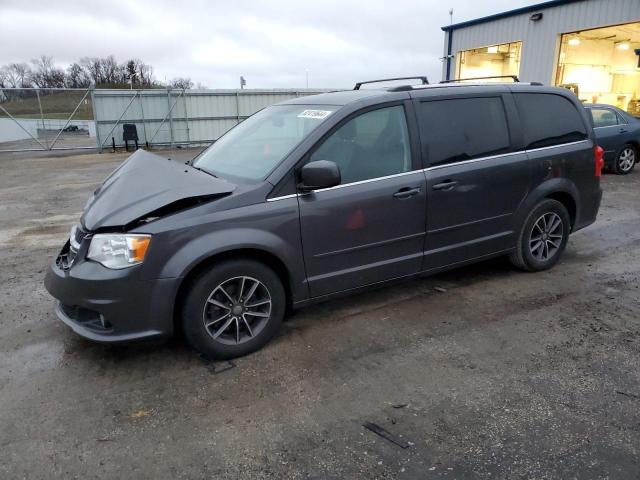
56	119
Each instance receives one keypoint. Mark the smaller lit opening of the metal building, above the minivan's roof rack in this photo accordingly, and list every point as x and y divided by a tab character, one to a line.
491	61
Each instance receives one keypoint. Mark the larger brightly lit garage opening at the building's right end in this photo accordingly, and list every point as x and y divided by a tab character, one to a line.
600	65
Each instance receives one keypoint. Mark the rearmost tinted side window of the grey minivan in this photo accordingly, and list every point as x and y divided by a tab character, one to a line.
548	120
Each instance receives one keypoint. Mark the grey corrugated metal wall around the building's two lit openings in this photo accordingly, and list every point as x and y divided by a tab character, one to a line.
540	40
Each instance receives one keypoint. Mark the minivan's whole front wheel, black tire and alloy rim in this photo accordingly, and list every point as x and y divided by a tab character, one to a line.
233	308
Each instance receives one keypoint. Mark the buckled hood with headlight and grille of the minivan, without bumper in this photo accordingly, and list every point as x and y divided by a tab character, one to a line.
145	188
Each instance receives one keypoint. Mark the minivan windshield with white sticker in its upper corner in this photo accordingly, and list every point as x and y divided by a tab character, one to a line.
256	146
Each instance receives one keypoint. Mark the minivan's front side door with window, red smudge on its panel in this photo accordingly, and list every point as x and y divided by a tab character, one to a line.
371	227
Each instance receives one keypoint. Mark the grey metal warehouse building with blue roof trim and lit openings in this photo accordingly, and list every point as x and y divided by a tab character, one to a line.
589	46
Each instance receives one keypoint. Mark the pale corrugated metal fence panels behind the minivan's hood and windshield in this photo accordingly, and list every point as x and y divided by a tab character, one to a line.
177	116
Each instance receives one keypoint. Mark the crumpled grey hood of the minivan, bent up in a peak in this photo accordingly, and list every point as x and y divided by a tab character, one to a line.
143	184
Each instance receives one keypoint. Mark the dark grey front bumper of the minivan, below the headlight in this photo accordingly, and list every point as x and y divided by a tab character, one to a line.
112	306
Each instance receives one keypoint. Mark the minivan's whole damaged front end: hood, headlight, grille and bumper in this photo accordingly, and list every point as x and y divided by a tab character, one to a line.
99	295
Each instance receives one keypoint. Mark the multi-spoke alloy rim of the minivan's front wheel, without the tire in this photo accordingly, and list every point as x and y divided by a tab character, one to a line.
237	310
